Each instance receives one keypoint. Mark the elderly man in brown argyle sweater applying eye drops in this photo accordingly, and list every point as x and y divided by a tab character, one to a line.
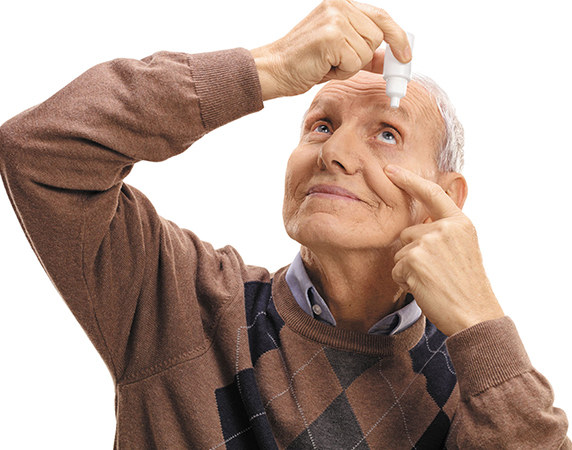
345	348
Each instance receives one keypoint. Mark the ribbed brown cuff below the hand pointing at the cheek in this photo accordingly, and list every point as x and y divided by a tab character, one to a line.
487	355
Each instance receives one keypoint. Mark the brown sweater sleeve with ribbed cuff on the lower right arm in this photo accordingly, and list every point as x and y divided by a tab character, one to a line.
505	403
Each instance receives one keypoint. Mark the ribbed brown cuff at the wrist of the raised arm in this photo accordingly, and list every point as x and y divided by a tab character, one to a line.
227	85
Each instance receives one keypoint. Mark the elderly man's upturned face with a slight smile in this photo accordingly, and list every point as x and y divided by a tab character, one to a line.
337	195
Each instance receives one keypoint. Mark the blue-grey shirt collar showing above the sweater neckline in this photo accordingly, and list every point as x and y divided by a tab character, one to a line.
312	303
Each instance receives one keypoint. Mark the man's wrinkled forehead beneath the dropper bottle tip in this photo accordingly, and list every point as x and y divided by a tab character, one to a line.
365	92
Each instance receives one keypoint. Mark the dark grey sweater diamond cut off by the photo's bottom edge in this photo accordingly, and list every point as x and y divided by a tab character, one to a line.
336	428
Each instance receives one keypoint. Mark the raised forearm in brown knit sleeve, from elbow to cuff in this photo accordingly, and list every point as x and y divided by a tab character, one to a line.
87	135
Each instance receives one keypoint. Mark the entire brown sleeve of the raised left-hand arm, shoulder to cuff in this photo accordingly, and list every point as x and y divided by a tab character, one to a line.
130	277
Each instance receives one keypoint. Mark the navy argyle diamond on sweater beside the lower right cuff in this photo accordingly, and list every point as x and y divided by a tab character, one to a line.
430	358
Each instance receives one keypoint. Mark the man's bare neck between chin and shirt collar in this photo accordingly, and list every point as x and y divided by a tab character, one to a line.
356	285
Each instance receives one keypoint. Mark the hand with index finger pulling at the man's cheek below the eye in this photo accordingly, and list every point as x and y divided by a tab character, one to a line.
440	262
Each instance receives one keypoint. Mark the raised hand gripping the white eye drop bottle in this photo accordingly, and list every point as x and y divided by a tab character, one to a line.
336	40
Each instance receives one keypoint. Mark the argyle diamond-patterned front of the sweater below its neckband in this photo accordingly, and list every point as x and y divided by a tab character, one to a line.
356	400
